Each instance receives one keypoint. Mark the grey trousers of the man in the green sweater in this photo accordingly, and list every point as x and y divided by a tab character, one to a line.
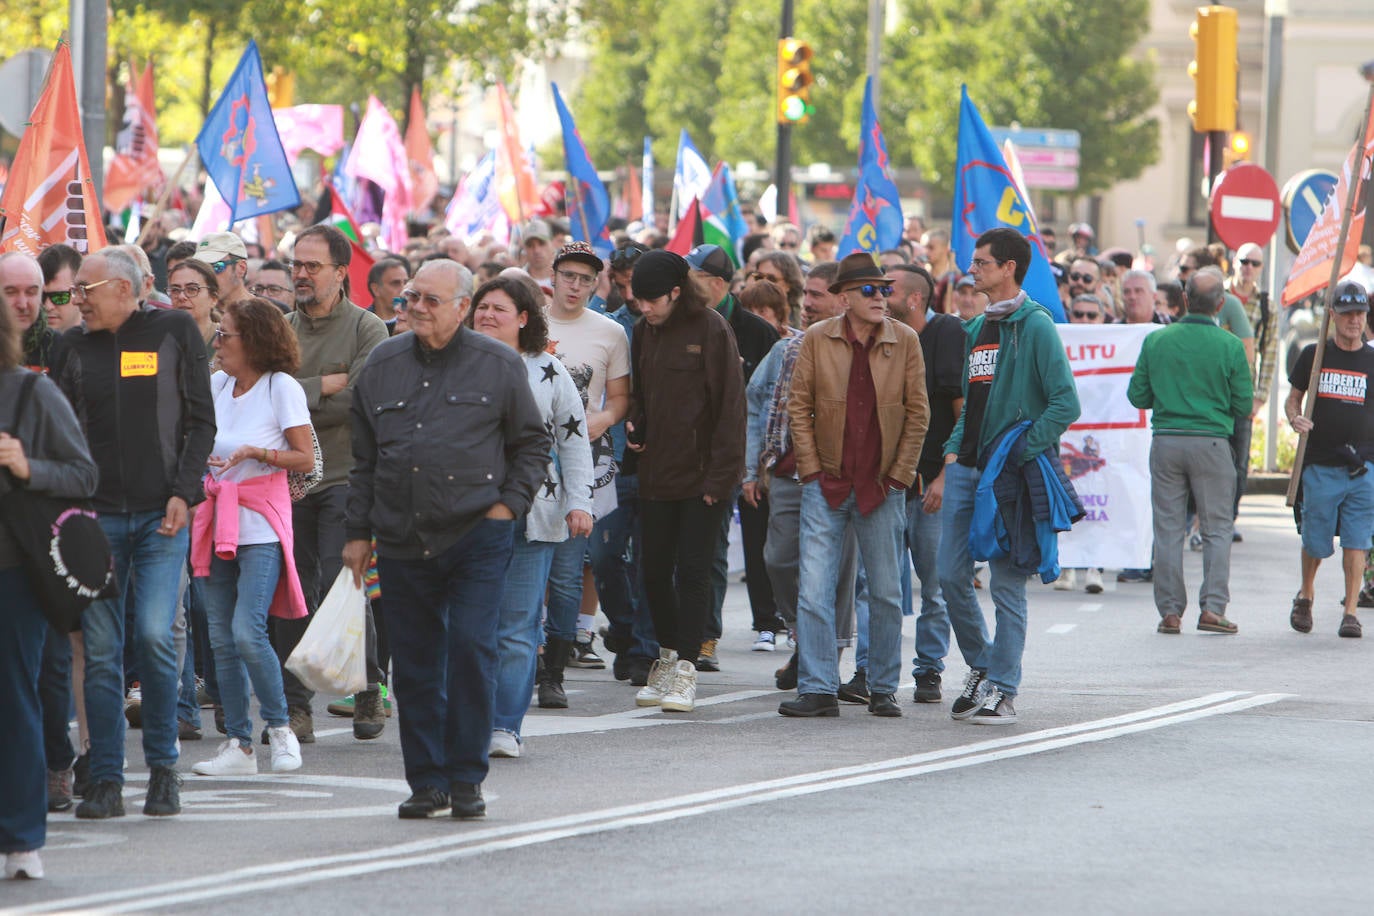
1206	468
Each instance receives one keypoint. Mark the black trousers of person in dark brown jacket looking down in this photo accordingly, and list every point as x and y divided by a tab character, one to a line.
681	540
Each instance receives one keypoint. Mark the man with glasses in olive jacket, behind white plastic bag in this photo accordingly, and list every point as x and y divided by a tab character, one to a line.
336	339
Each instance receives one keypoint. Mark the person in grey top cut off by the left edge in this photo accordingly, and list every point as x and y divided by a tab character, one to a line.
43	451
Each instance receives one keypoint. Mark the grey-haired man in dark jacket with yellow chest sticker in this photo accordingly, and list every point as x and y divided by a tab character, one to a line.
150	424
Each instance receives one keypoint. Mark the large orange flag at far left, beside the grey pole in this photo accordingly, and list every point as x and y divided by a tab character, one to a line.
50	197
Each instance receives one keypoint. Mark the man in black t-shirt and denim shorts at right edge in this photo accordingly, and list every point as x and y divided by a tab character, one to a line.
1338	488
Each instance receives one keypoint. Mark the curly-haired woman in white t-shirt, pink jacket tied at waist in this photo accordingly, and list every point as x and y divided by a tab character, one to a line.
263	432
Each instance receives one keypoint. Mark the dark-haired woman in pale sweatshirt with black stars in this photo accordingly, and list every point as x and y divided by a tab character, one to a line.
508	311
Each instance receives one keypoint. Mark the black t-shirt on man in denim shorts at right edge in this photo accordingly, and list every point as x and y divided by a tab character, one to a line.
1344	414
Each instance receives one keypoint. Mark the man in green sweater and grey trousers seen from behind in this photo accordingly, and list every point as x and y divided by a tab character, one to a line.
1196	378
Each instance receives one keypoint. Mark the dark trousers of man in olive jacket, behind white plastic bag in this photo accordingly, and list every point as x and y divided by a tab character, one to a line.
318	525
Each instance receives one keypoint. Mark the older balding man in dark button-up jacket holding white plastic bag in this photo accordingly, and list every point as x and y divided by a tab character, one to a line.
450	450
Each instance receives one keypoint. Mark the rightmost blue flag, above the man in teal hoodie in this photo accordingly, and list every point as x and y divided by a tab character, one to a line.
986	197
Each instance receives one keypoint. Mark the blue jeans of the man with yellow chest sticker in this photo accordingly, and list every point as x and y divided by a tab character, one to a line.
157	561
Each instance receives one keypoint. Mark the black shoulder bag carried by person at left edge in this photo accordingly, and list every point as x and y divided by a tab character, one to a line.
64	549
